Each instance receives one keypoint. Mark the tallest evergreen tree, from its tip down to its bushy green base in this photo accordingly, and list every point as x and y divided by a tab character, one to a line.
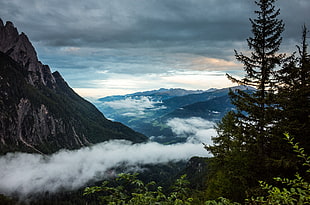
245	135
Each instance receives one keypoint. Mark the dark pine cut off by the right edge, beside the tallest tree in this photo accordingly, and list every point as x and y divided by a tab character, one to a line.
294	95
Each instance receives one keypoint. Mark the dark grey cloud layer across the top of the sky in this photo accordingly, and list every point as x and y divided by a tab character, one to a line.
108	23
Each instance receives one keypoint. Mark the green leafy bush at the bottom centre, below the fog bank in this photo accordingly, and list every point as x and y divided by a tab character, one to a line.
129	190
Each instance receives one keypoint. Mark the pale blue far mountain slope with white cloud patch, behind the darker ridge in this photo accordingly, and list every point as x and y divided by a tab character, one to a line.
140	106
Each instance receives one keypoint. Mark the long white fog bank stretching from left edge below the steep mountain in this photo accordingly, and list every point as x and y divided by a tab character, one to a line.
27	174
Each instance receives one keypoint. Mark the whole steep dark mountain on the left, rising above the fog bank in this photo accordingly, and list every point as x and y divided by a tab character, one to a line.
39	112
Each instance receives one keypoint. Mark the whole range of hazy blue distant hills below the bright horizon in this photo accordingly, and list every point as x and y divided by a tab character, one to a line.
148	112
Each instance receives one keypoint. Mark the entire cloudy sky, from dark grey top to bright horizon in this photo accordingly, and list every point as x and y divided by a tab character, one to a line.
104	47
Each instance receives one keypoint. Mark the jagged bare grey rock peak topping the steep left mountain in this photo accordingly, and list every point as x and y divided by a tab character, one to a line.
20	49
